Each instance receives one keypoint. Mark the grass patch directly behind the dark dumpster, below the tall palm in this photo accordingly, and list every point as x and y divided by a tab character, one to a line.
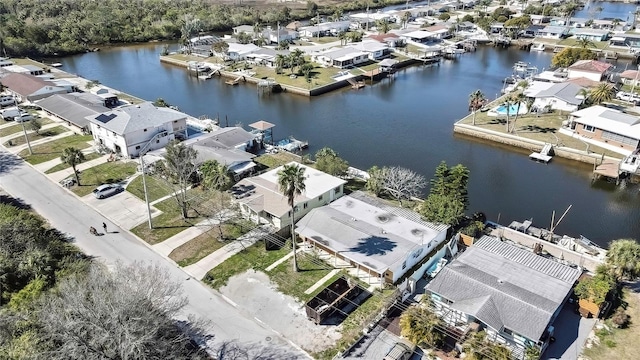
296	283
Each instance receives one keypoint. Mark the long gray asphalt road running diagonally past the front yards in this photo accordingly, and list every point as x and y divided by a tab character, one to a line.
230	327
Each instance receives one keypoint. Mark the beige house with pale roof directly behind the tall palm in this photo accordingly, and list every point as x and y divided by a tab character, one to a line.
261	201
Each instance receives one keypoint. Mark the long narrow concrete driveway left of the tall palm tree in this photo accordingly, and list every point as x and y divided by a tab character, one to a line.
202	267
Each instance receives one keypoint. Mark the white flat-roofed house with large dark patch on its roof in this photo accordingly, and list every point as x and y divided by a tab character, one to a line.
381	240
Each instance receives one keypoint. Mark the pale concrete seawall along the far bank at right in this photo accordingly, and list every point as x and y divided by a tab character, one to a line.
529	144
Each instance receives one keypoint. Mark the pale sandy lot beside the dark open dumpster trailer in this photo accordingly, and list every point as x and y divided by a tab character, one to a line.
254	293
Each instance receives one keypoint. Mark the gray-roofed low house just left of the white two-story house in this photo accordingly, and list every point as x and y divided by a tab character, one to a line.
74	108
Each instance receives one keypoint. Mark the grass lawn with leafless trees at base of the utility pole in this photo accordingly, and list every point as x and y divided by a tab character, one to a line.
170	222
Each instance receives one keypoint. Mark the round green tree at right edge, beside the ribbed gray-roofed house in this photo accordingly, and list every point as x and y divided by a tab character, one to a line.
623	257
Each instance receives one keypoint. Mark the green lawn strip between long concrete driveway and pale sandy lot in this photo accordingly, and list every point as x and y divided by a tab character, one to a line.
254	257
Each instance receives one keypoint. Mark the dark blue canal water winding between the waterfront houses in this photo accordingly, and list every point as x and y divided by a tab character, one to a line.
407	121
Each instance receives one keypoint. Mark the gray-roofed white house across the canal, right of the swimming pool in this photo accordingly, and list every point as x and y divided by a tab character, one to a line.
563	96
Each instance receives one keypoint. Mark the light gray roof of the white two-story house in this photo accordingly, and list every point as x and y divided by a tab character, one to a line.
135	117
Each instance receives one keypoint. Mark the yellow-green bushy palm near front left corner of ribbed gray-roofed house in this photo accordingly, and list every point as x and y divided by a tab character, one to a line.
420	326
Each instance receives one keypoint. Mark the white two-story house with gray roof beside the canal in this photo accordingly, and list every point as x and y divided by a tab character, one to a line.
128	129
